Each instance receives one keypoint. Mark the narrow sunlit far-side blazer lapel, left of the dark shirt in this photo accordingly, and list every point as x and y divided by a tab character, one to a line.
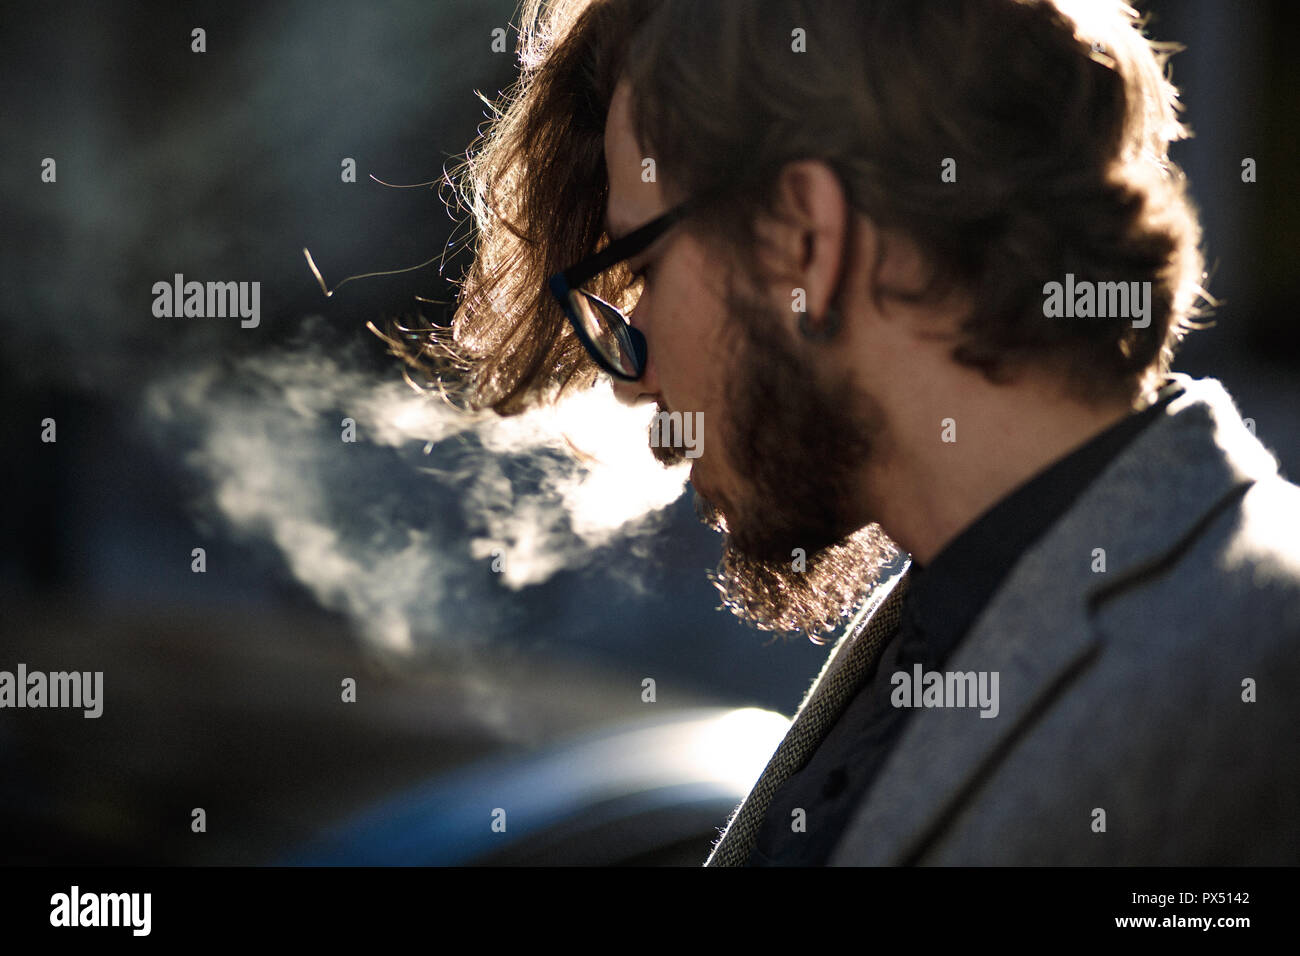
840	678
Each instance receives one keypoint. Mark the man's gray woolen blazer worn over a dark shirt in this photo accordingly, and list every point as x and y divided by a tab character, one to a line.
1126	732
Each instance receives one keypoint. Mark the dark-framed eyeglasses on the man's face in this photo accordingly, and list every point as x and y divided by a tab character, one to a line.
604	331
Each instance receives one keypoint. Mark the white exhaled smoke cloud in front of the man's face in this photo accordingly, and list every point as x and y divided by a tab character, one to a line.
396	527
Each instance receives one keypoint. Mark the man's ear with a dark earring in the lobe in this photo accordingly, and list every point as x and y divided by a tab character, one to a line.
805	248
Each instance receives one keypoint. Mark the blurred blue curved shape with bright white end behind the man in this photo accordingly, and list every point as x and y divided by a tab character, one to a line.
601	798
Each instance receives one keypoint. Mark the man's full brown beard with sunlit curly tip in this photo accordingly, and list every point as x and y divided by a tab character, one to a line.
796	555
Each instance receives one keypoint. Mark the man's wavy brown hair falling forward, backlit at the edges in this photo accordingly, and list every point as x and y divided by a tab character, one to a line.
1059	116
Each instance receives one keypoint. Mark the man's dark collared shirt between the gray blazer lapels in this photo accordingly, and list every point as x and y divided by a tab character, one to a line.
942	603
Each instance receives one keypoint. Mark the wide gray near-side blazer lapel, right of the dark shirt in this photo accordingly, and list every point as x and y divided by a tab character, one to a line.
1037	633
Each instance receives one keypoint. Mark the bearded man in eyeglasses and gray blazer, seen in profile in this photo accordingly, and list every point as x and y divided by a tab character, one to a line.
920	271
